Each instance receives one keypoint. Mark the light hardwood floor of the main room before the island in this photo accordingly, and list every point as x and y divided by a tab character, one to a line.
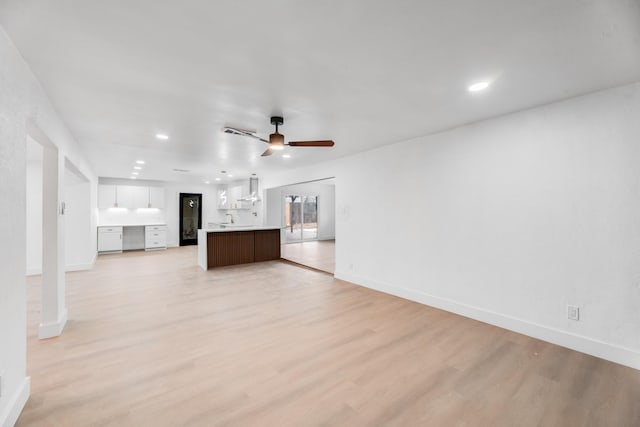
154	341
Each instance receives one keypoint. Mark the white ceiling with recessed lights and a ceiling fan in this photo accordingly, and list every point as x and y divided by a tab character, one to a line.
360	72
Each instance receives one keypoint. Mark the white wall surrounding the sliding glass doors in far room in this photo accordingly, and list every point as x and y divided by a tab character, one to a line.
326	205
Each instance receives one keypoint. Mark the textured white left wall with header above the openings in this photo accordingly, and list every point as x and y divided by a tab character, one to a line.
23	107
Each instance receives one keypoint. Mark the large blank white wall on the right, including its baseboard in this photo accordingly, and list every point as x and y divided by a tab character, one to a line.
507	221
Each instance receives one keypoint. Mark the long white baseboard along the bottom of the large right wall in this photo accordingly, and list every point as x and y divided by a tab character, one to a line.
612	352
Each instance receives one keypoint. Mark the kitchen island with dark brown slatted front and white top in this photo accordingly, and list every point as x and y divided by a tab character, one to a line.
232	245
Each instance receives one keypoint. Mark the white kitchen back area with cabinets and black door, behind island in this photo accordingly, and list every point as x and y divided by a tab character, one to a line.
146	215
